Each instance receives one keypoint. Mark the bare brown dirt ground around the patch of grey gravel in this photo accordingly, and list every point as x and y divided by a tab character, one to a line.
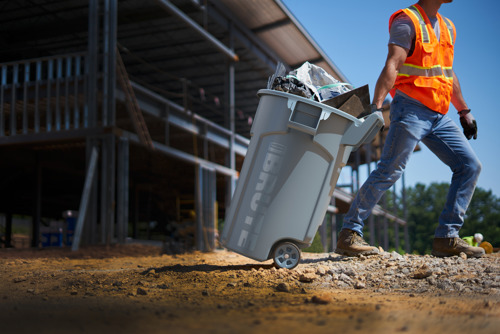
134	288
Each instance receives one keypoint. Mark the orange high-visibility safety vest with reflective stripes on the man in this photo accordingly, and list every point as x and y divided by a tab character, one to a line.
427	74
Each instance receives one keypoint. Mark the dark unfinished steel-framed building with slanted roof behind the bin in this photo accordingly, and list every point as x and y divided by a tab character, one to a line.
137	115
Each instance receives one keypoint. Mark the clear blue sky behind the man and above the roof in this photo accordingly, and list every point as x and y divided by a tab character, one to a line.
354	34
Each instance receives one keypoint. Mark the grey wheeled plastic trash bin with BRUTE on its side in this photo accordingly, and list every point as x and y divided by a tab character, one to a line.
297	150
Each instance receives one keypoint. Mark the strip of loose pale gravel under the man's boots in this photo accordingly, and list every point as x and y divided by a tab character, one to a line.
392	272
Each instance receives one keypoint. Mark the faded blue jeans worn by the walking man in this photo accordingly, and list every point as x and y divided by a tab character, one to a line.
410	124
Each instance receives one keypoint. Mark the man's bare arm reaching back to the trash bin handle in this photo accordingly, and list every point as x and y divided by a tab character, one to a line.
395	59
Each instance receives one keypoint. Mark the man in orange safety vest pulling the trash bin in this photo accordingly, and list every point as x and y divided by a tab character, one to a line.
419	75
